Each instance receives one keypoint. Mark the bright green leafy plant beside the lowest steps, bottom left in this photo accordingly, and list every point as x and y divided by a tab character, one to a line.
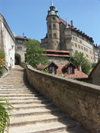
4	117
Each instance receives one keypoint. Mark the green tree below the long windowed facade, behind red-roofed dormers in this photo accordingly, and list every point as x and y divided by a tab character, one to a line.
79	59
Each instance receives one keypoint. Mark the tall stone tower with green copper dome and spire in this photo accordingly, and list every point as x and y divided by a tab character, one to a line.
53	28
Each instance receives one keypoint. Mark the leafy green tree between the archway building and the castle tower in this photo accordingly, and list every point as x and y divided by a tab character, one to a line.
34	54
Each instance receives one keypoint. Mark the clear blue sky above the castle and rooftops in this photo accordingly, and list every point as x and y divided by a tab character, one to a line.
29	16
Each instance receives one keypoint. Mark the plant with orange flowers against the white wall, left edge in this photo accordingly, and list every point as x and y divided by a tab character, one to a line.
2	62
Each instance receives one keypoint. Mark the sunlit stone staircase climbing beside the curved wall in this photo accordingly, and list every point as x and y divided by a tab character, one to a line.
32	112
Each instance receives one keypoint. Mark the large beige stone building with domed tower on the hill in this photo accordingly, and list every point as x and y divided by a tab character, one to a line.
63	36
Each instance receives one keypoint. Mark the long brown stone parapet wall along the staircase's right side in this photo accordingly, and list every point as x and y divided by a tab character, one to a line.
78	99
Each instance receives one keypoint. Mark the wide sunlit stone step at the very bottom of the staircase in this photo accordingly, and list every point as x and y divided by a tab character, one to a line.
45	127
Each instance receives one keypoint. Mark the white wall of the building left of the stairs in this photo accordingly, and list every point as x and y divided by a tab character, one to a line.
7	43
